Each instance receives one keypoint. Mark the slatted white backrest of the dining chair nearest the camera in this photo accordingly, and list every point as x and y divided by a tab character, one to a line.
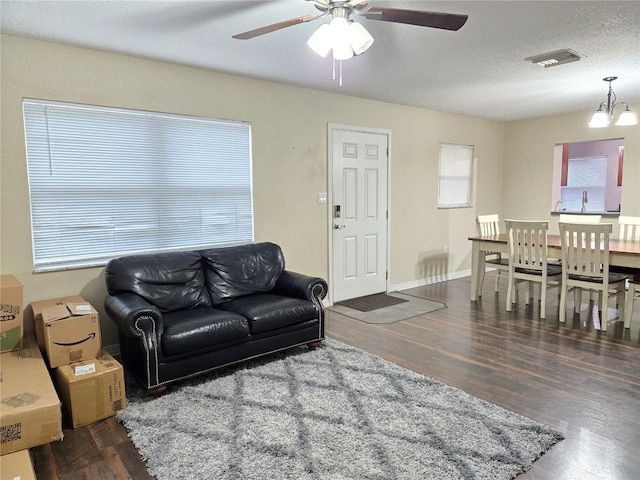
585	249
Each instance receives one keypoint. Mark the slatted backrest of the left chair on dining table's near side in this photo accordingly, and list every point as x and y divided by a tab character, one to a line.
527	243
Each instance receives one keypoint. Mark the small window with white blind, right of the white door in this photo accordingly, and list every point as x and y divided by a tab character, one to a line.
454	178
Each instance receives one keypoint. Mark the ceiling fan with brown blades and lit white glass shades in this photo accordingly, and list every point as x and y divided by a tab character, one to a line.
346	37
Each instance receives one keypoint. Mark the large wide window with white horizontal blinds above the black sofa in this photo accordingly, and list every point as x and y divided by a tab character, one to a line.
106	182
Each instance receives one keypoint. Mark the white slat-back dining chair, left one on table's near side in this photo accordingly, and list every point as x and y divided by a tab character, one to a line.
527	244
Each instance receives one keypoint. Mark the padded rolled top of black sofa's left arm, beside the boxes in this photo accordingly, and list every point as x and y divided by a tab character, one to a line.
135	317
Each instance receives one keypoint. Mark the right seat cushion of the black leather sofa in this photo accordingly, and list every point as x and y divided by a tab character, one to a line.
267	312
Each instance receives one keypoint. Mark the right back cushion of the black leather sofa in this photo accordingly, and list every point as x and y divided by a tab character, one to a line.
232	272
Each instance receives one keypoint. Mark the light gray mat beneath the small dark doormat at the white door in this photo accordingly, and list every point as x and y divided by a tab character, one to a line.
409	307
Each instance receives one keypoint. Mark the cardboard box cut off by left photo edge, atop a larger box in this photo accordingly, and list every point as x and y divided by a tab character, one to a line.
11	322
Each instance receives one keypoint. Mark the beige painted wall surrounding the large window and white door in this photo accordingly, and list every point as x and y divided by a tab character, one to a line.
289	127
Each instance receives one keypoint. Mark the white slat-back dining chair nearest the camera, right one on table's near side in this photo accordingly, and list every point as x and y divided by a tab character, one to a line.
585	265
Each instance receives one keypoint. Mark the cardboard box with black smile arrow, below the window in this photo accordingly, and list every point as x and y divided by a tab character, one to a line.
70	338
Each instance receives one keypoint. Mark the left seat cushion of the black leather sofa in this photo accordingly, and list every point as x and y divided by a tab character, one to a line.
191	330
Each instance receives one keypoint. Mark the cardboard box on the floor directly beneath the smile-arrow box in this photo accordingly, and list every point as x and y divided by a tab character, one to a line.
89	397
